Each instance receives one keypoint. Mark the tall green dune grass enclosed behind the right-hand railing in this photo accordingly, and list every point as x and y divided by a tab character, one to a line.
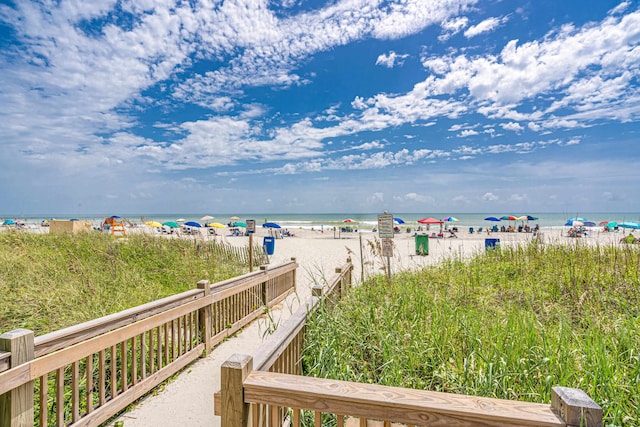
508	324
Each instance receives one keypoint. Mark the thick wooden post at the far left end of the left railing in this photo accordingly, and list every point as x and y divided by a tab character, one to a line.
16	406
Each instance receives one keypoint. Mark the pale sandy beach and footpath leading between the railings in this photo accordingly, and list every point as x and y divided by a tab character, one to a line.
188	399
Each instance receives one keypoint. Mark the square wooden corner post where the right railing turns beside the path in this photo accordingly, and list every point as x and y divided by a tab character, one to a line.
233	411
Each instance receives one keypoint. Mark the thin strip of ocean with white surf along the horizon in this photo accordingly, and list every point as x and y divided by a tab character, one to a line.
364	221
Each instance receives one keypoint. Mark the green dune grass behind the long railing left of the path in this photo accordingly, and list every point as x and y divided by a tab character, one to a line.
51	281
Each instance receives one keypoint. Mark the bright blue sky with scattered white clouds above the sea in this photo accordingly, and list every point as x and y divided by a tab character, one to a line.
305	106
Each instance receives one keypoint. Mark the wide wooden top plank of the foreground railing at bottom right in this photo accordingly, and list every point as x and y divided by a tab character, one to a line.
393	403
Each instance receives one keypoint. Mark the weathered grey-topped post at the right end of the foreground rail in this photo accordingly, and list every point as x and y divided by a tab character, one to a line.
575	407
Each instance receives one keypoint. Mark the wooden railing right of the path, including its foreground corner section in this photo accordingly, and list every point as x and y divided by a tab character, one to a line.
269	390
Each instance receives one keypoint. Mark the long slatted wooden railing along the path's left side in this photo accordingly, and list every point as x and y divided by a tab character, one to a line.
85	374
